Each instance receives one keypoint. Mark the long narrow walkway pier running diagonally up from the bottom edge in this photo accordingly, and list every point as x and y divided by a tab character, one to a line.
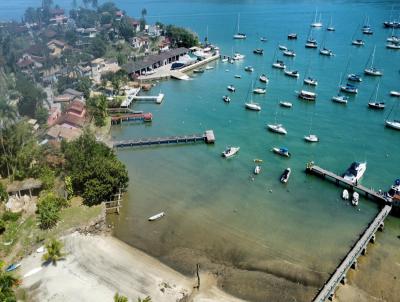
359	248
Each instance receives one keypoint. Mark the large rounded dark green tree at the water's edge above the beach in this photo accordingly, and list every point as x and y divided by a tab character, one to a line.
95	171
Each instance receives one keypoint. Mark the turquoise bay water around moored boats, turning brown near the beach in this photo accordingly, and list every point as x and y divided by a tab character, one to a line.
216	213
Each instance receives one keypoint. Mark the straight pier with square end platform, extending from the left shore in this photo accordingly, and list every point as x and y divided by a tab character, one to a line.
208	137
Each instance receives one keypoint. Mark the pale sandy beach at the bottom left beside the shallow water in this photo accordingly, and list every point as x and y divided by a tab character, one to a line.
98	266
